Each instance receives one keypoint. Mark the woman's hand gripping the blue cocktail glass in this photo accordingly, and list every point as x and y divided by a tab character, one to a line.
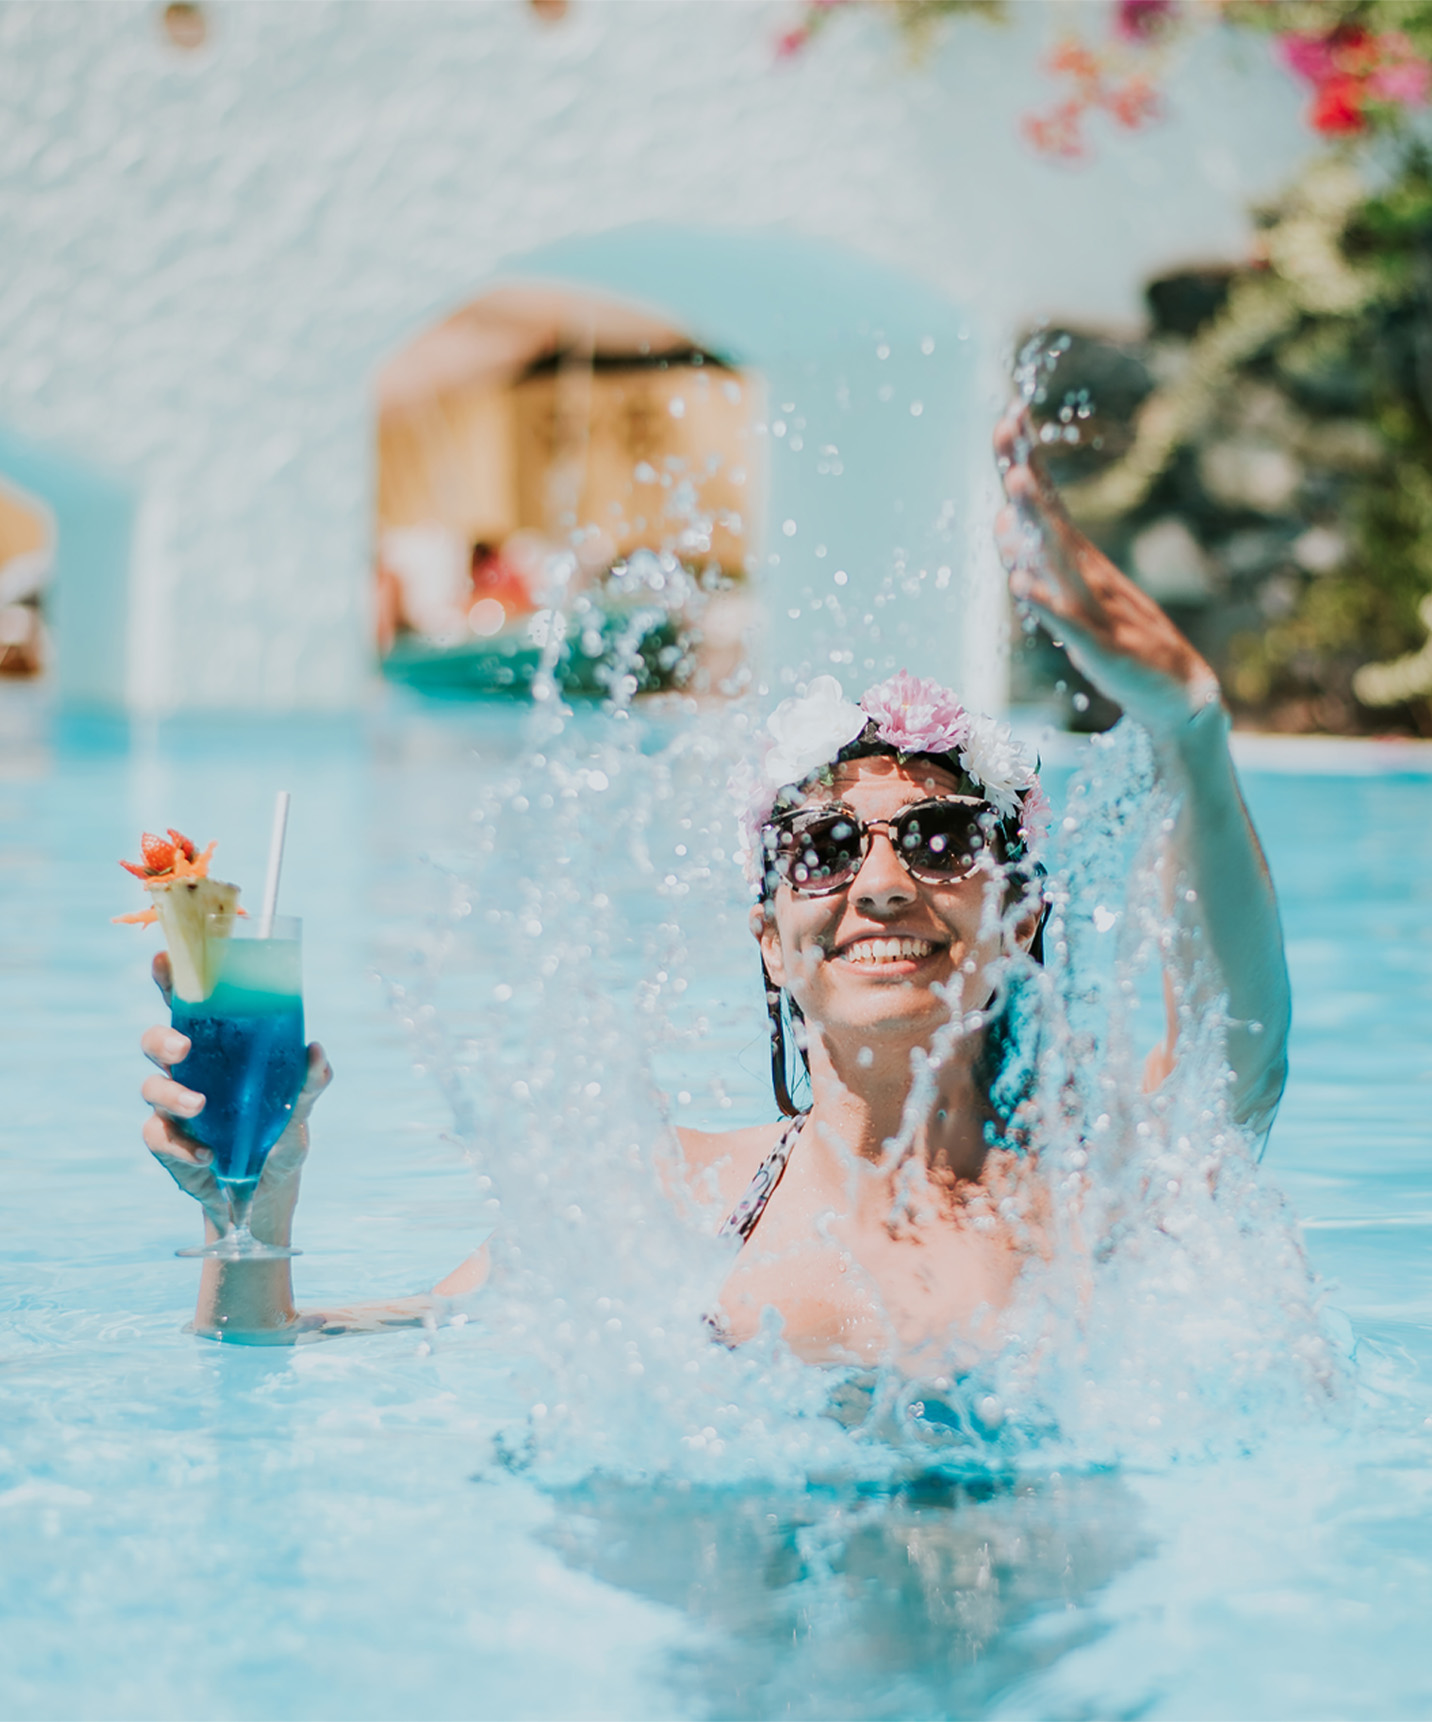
190	1163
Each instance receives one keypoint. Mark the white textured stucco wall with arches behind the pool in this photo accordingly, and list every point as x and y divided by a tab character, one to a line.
207	256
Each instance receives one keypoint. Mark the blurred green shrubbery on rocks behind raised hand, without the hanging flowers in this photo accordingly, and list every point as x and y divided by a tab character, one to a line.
1290	440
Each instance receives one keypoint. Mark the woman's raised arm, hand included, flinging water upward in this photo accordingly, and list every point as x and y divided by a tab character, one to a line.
1130	650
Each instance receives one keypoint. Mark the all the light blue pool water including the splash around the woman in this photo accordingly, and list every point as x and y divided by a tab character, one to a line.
574	1504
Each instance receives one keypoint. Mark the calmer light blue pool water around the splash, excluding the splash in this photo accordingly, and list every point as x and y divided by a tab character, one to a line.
336	1530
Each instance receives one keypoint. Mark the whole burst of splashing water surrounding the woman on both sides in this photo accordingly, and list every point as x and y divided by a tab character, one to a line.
1166	1308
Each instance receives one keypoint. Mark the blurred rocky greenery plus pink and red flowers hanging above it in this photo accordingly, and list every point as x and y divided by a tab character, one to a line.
1273	468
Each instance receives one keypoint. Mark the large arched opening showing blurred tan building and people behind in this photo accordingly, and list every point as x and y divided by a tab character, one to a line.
557	459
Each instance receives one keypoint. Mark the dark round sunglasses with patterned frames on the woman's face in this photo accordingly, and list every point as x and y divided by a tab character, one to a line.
818	852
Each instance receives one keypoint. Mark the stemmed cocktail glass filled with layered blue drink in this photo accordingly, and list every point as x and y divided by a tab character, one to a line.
247	1058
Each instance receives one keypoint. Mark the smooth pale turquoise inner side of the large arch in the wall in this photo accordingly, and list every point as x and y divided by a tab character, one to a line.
870	543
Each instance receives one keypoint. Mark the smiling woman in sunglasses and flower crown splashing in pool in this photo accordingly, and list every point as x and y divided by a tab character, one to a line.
894	852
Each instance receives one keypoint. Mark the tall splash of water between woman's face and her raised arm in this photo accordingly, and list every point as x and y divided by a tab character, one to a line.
1173	1310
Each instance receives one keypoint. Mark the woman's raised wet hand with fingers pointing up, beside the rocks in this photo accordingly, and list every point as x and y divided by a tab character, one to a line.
1116	635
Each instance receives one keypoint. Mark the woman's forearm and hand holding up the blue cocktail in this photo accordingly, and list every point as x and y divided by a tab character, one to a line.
254	1301
